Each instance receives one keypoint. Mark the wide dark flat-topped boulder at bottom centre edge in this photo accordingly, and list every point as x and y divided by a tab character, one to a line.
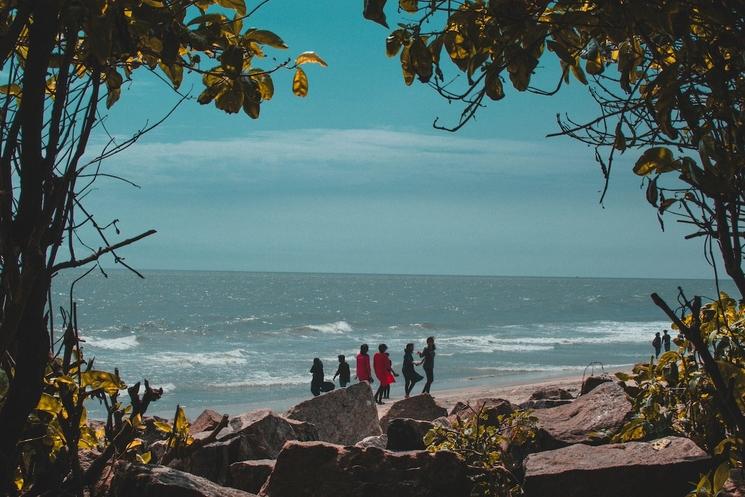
317	469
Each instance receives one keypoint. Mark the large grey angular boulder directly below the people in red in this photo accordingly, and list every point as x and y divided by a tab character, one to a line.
344	416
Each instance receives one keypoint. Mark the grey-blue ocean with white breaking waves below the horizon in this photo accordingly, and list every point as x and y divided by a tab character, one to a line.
234	341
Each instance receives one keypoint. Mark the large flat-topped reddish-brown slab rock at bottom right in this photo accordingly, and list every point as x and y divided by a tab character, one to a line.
663	468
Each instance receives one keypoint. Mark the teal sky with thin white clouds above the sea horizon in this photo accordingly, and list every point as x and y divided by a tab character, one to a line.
353	178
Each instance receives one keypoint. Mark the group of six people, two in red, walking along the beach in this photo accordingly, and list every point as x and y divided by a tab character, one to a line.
382	367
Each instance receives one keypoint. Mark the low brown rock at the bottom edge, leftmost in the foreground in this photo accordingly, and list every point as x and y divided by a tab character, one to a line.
161	481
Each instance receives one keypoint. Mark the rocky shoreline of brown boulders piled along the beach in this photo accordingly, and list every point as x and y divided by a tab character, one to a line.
341	444
